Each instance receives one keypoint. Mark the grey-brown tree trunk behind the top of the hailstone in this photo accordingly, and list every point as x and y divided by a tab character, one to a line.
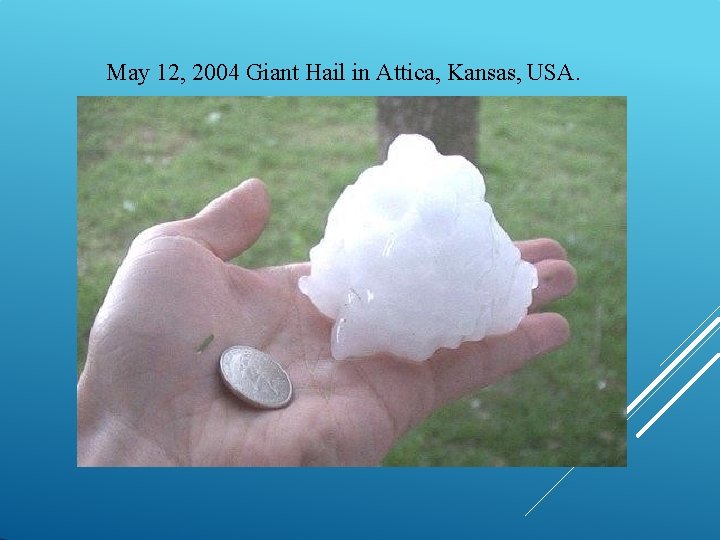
450	122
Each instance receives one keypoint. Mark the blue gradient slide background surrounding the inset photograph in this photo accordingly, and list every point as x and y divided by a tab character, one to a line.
663	56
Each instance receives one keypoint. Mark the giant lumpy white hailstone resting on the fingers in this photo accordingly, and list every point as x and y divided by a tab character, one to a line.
413	259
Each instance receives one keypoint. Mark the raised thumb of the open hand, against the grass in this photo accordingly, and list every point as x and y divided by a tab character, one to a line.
233	222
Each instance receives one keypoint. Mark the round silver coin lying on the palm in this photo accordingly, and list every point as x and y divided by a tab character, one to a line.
255	377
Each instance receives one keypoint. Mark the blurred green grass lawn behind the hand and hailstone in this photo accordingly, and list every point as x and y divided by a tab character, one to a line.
553	167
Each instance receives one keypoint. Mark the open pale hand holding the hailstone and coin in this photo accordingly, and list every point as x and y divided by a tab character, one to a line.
147	396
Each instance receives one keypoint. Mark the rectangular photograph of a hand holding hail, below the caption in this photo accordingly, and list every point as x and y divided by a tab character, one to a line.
351	281
